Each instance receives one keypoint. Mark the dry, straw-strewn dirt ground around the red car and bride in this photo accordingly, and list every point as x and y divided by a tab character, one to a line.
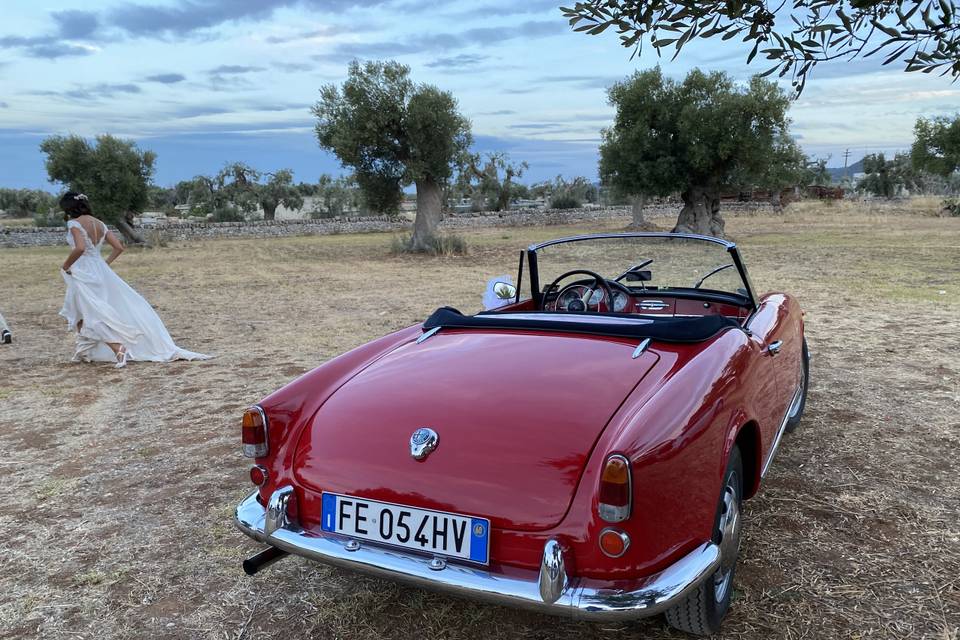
120	485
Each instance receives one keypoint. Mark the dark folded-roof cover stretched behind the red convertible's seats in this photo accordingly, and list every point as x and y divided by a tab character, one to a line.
668	329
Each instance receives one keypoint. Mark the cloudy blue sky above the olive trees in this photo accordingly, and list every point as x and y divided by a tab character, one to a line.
207	82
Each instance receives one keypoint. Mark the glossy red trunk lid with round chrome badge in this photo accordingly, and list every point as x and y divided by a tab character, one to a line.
517	415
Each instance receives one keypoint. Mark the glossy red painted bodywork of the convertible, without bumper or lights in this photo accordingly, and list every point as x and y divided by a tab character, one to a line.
675	413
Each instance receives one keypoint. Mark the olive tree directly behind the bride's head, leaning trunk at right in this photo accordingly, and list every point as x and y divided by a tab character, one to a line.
115	174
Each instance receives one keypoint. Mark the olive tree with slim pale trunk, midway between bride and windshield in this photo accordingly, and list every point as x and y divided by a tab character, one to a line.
394	132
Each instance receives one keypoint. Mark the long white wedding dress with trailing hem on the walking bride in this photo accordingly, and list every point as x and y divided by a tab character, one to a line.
111	311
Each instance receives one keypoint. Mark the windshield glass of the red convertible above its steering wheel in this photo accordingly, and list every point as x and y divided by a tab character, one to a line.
658	262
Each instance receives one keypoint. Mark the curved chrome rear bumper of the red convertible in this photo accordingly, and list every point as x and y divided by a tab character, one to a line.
551	590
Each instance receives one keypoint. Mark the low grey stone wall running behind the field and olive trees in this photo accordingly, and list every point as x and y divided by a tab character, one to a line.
176	231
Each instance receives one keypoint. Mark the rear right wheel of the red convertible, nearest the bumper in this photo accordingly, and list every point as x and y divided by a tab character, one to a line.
701	612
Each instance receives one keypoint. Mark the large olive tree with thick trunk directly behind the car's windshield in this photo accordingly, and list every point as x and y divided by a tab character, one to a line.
694	137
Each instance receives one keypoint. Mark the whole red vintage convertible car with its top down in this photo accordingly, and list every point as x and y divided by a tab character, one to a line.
583	449
